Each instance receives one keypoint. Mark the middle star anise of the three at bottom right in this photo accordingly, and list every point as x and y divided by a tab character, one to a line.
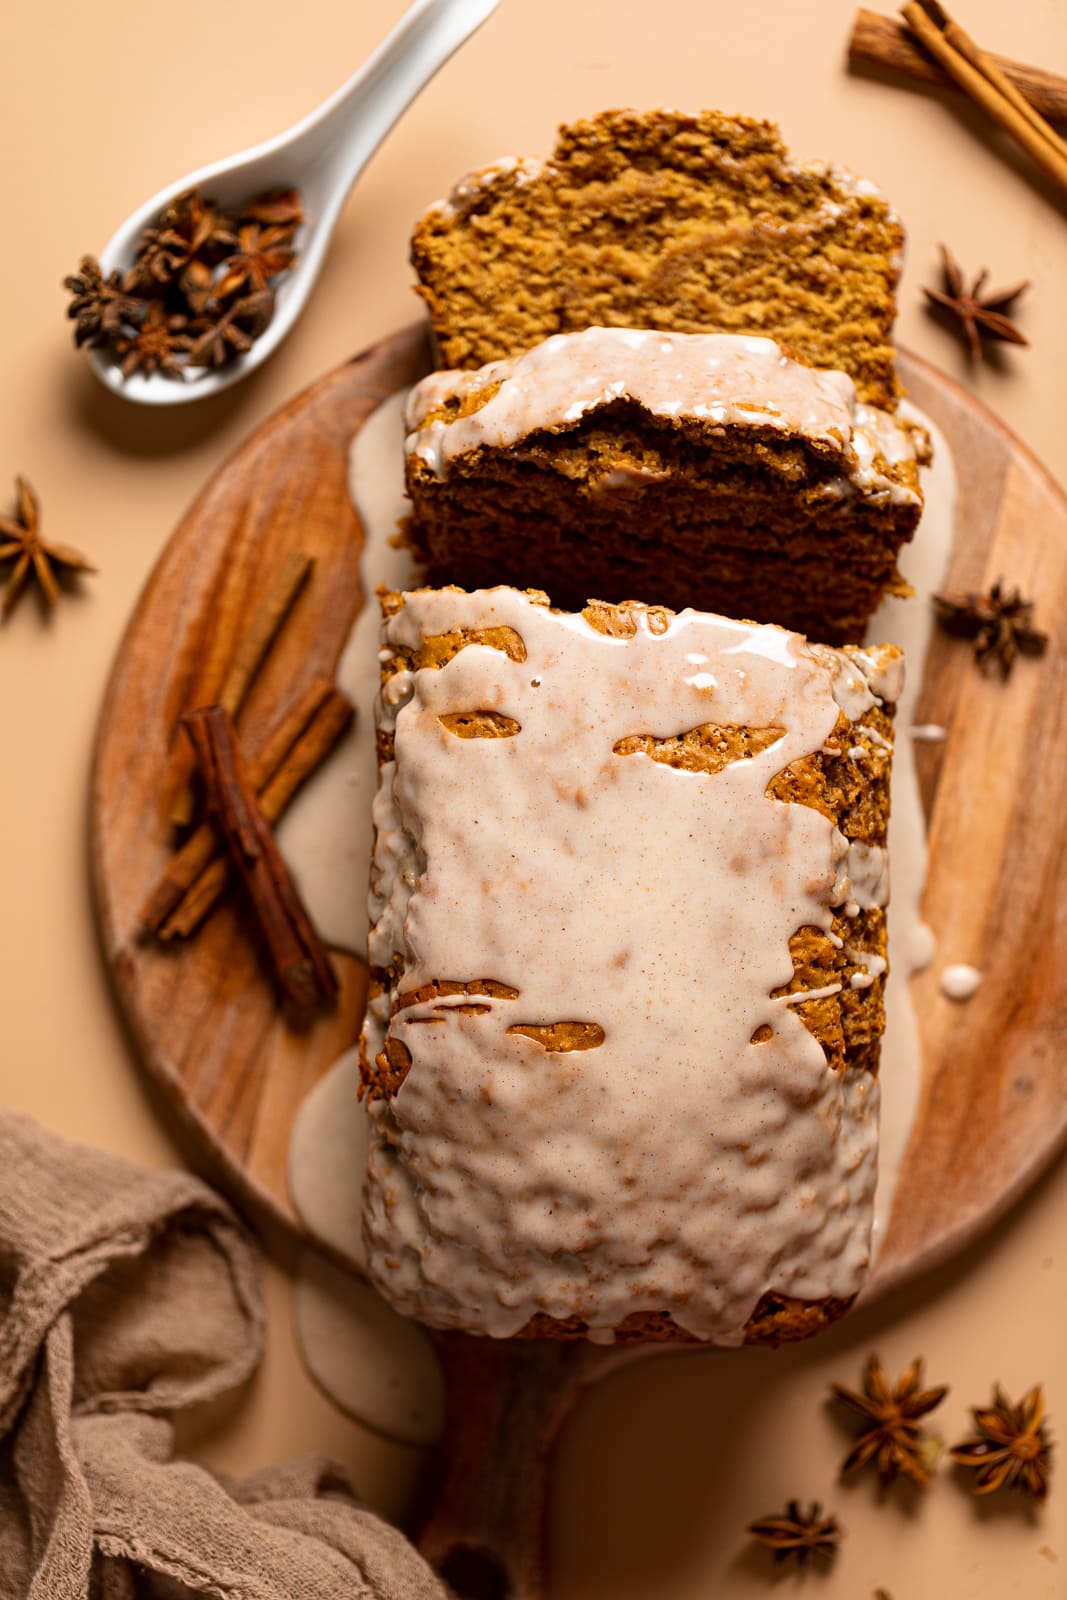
890	1434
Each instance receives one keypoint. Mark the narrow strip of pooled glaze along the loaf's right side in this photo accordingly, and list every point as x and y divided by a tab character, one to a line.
909	625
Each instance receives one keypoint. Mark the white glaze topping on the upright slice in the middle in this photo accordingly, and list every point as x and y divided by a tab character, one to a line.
729	380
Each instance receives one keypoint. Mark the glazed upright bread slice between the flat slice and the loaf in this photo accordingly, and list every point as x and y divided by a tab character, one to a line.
693	470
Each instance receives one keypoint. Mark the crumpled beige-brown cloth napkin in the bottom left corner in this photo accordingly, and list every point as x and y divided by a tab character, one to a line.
124	1297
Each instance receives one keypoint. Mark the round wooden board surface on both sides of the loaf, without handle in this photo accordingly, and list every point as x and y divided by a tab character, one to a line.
994	1100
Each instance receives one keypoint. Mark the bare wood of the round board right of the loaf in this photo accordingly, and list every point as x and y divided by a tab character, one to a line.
994	1103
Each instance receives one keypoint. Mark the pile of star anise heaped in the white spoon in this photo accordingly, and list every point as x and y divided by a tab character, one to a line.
201	289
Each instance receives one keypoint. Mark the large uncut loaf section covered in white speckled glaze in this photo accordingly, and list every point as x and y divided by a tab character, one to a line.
629	958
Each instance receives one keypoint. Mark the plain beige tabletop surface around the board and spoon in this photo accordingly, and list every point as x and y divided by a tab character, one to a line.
665	1465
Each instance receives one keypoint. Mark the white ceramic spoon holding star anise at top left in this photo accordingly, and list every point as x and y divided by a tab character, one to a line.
322	158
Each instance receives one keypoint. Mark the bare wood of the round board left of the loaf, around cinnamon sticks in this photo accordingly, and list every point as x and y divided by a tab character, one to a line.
204	1015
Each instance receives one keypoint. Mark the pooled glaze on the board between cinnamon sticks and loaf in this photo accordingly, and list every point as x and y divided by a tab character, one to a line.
327	833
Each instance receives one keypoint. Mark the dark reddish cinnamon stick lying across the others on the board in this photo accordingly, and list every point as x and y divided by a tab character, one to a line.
297	954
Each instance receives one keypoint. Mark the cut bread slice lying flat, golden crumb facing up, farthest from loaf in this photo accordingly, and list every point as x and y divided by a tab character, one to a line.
661	220
